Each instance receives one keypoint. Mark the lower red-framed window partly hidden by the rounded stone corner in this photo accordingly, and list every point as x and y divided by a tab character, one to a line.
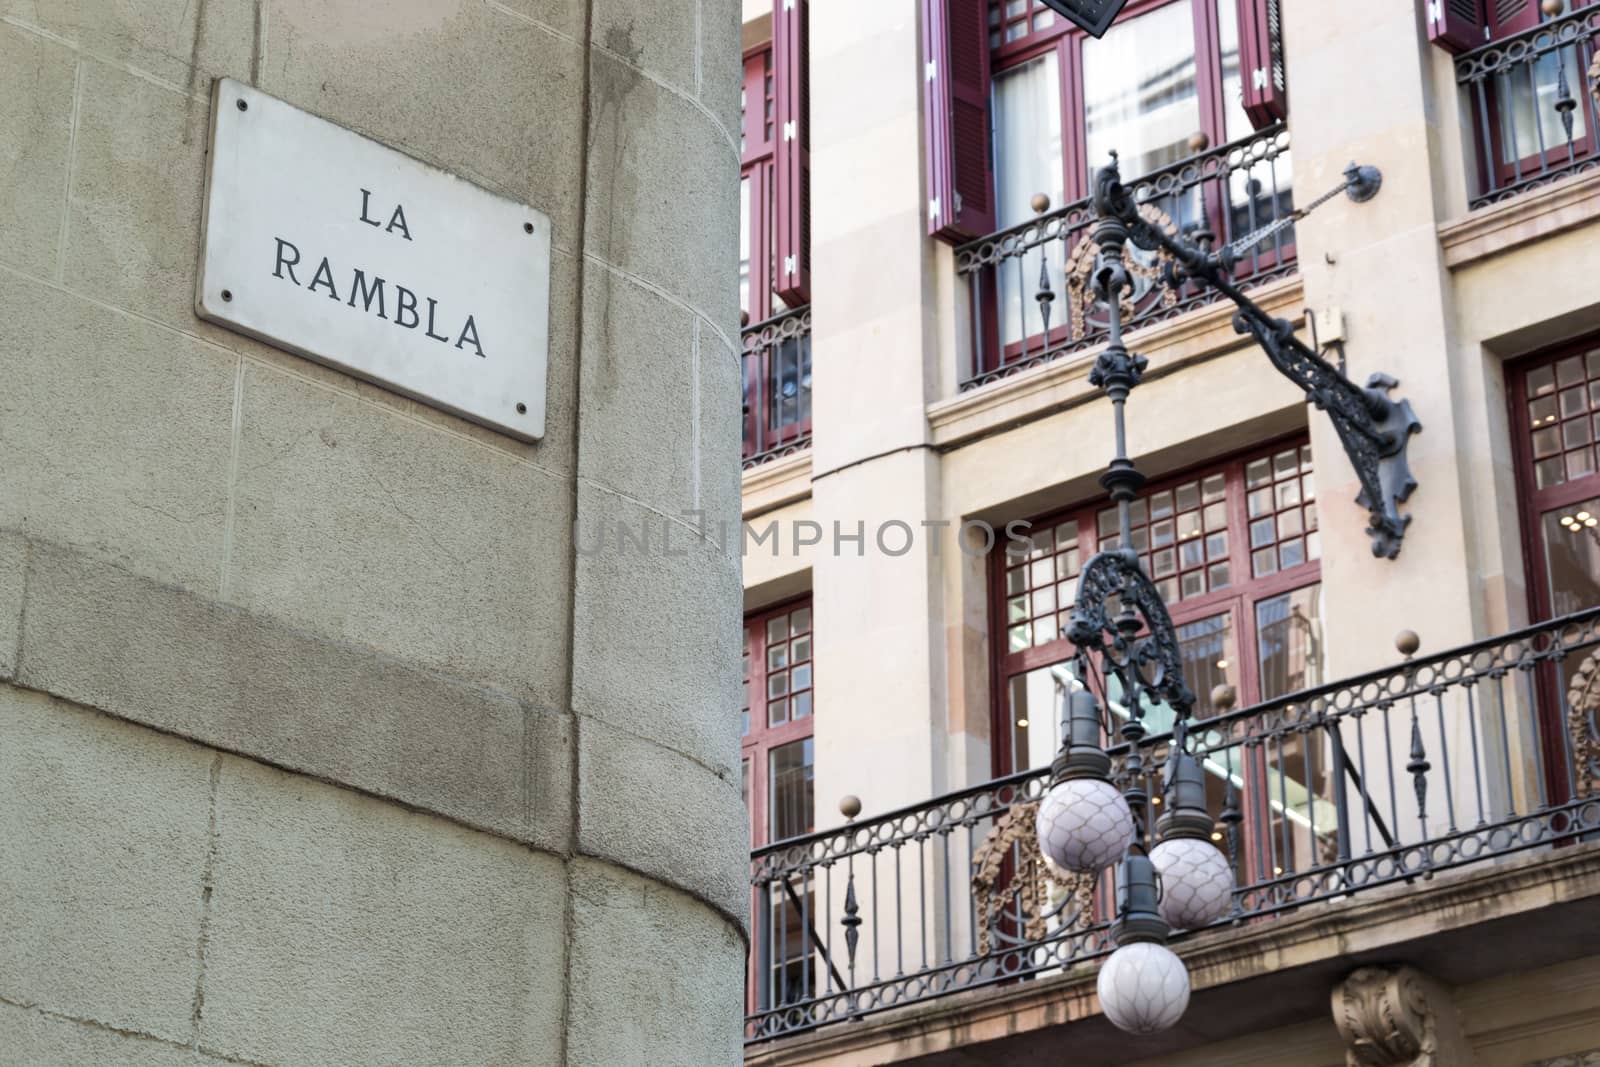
777	773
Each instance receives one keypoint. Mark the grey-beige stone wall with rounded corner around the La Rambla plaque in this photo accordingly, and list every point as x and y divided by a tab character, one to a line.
319	741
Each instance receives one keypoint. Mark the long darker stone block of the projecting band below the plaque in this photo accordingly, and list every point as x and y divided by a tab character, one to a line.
118	642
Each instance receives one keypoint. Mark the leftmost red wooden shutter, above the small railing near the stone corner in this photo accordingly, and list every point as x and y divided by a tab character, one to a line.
791	73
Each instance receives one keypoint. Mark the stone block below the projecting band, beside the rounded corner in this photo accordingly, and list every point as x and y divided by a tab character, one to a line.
346	930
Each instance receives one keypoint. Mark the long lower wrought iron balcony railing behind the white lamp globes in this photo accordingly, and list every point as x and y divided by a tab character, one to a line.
1439	764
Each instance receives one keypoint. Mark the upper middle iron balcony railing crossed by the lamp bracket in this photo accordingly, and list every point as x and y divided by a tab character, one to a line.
1220	196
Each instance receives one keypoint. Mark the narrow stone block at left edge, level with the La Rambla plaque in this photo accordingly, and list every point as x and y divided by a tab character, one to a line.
36	132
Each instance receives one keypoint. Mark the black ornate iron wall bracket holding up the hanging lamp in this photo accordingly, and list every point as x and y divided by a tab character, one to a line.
1374	428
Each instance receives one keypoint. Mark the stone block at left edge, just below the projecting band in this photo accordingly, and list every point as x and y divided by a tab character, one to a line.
103	839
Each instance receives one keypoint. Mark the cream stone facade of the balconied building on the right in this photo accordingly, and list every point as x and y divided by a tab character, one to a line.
910	689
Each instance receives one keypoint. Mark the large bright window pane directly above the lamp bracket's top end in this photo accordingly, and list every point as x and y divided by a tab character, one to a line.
1140	90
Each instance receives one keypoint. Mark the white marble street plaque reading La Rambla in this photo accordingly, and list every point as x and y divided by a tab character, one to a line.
327	244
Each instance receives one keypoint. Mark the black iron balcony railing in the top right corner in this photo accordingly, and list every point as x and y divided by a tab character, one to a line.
1534	105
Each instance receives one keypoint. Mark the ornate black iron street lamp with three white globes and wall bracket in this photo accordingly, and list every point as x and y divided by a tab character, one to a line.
1122	633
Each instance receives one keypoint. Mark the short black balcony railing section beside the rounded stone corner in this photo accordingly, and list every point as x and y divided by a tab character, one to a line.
777	386
